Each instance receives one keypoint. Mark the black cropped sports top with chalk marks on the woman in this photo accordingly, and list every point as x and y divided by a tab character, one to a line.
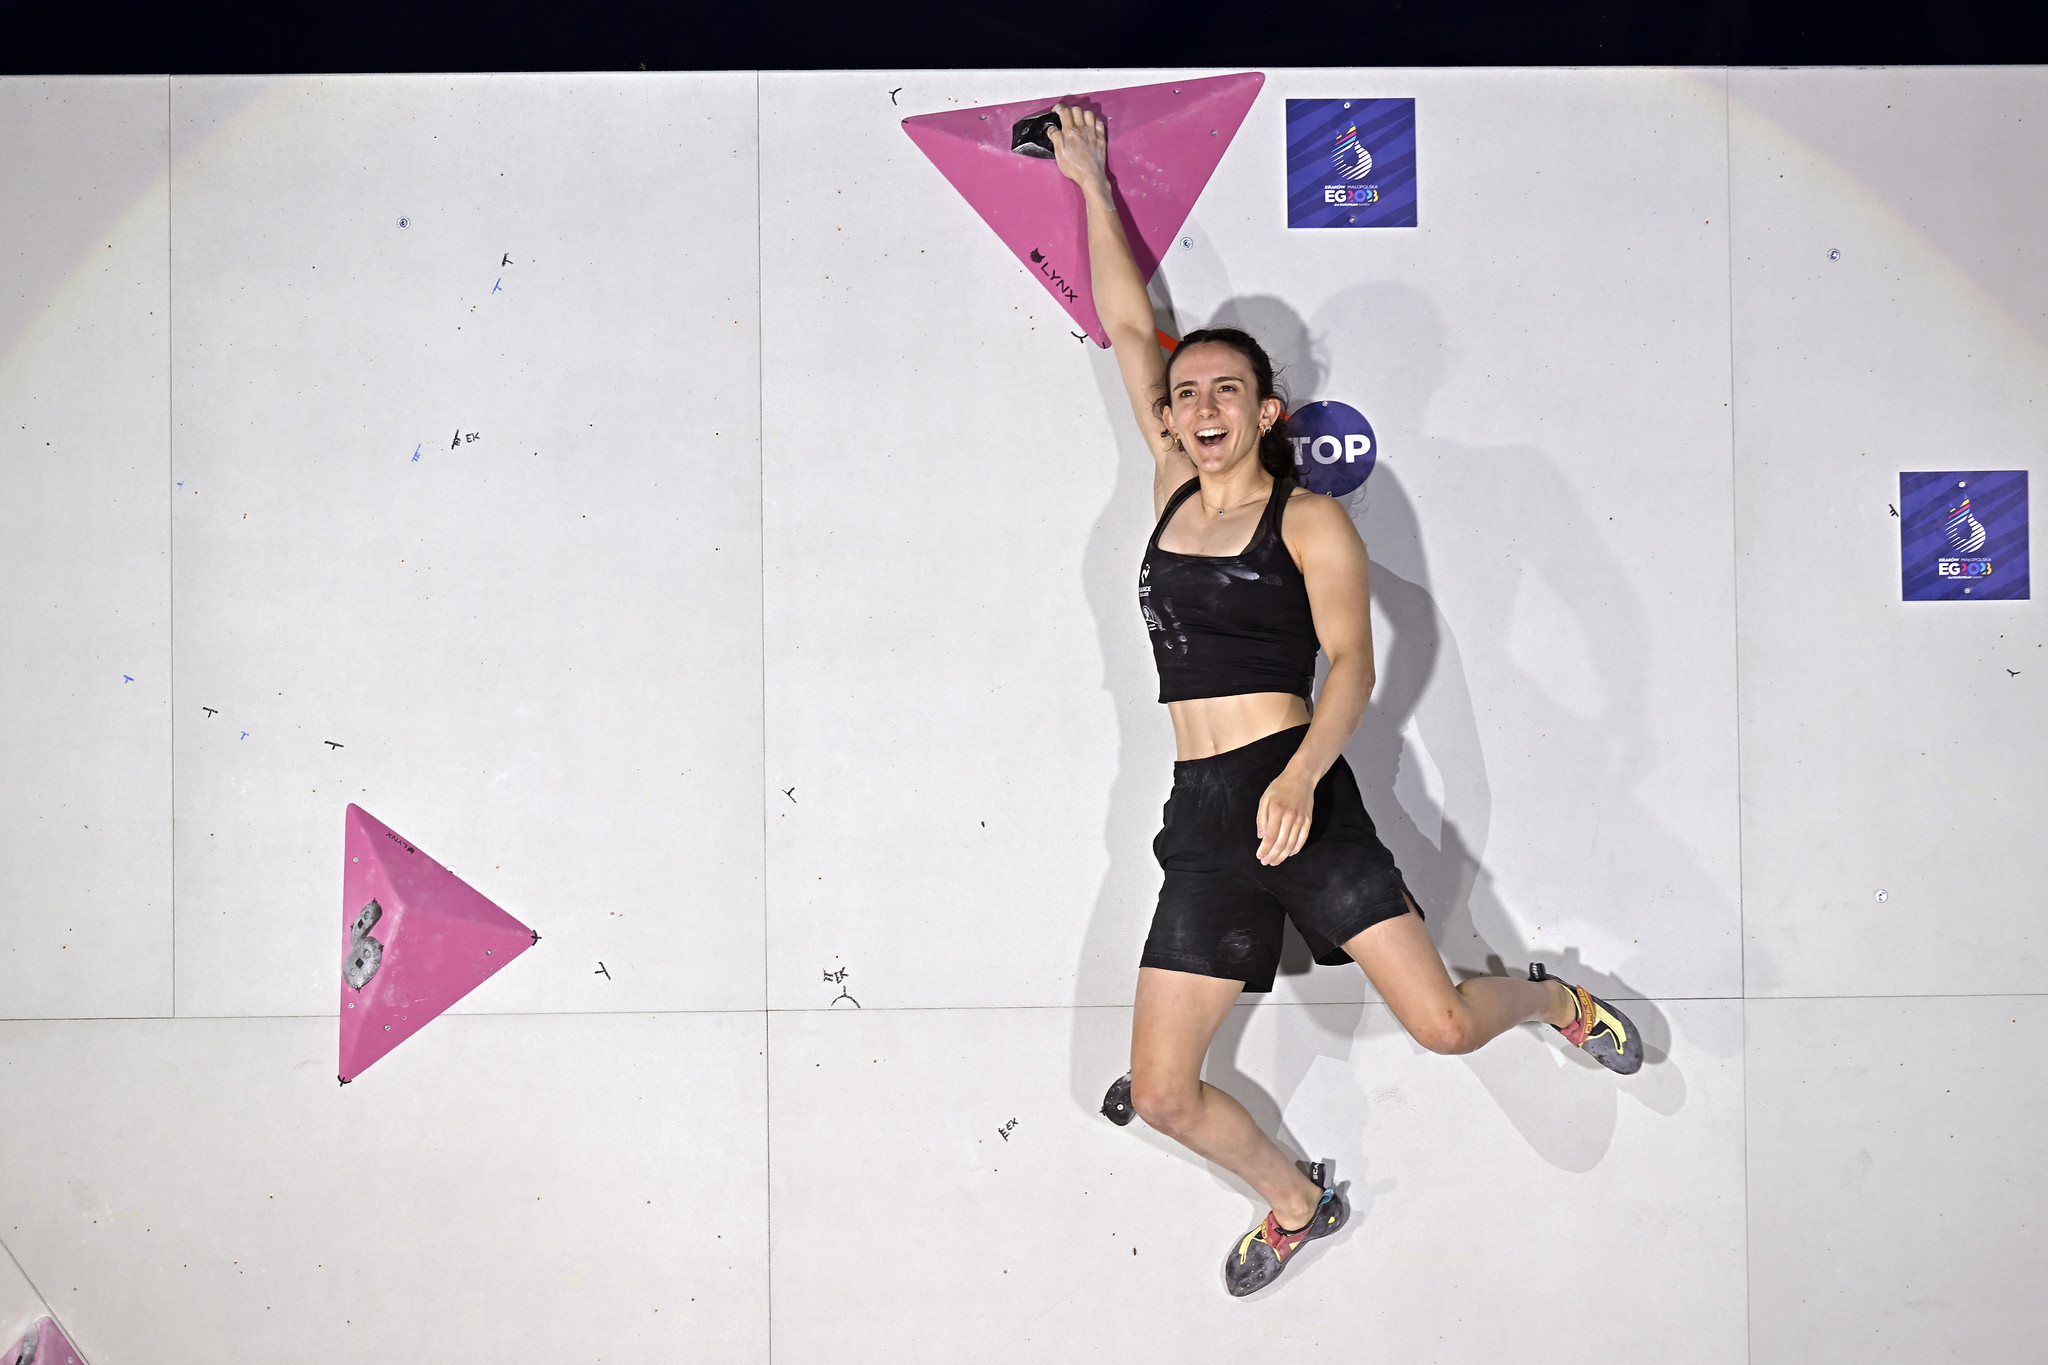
1224	625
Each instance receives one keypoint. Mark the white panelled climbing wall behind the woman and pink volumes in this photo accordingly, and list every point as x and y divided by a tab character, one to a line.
671	507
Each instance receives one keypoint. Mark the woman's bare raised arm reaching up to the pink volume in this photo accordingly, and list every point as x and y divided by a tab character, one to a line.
1080	146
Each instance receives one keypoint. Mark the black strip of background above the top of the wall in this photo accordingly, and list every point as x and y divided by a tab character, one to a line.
511	36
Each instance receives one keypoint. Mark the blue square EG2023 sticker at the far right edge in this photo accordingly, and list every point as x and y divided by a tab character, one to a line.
1963	535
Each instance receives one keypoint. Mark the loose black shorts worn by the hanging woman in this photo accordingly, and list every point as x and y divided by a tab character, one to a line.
1222	910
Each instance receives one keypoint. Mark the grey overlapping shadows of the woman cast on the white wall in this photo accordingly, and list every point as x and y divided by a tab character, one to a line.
1381	347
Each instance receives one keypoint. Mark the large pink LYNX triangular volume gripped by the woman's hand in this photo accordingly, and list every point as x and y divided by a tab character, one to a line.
1164	146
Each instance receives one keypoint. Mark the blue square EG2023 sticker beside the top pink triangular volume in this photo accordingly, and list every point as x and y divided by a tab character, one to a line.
1351	163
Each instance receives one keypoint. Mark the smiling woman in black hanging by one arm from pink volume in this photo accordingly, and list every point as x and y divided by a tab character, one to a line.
1244	580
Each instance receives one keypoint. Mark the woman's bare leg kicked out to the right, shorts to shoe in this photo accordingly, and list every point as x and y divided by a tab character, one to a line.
1410	975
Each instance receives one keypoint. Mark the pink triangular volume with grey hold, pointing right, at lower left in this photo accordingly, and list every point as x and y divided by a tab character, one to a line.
415	940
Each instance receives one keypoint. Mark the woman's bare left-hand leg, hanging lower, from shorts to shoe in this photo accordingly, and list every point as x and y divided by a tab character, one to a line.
1177	1016
